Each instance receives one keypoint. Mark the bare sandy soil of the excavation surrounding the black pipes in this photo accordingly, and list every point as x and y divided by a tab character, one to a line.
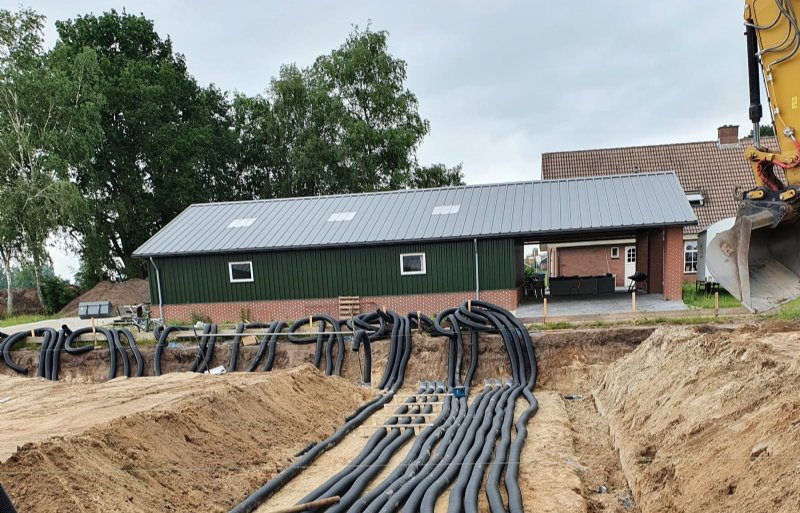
629	419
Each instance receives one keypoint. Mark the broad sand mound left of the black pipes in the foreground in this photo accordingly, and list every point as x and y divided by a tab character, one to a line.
180	442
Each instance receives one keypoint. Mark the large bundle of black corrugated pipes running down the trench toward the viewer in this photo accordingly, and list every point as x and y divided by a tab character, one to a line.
453	449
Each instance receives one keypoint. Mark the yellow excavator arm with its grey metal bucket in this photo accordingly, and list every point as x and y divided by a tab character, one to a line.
758	259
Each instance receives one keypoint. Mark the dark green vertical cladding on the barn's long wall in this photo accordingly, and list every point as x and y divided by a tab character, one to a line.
333	272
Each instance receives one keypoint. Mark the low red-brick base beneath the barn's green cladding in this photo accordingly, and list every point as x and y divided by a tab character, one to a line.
292	309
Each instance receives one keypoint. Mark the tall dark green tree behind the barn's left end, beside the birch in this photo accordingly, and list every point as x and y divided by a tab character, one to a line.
165	138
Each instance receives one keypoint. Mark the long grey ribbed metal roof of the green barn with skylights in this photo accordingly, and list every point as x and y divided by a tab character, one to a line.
531	209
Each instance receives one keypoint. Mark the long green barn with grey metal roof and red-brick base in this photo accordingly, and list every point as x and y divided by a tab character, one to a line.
424	249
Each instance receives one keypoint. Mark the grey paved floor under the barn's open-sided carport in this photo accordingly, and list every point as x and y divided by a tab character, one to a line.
603	304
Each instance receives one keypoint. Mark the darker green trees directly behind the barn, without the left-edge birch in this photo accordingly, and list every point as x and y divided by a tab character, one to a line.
346	123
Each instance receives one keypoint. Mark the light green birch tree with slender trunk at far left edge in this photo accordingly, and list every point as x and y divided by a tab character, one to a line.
48	132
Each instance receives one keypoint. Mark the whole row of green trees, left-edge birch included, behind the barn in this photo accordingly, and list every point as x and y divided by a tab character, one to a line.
108	136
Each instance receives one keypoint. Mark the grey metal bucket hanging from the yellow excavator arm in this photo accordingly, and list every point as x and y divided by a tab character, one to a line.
758	260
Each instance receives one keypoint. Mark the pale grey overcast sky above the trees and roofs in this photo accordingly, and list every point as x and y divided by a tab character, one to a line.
501	82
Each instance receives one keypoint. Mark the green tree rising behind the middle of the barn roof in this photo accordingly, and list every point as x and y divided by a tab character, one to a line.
345	124
